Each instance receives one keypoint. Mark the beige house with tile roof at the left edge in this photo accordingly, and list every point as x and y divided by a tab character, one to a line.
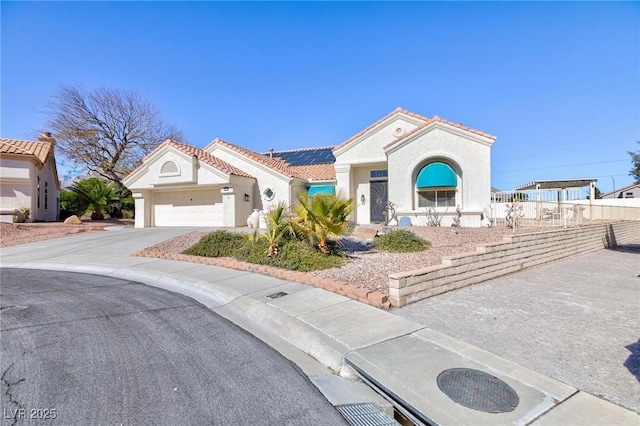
29	178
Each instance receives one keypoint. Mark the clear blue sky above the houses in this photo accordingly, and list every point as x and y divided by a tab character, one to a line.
557	83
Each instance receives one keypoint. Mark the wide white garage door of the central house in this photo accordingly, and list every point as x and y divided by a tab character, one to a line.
188	208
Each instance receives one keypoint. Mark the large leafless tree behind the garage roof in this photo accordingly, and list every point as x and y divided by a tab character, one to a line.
106	131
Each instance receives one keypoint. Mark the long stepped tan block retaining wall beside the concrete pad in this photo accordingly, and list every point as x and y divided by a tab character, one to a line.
514	253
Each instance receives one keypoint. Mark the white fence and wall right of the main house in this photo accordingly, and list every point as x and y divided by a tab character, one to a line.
554	208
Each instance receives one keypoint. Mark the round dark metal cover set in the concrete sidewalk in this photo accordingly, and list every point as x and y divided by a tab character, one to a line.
478	390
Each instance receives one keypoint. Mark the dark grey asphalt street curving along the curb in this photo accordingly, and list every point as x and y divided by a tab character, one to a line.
82	349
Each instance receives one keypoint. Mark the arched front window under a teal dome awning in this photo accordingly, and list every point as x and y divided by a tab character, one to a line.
436	185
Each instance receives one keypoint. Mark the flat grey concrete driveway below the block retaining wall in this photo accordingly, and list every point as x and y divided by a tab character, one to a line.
576	320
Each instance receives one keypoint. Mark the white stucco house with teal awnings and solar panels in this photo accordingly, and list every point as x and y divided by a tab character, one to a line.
415	162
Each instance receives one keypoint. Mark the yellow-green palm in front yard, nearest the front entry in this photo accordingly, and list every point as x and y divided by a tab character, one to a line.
322	217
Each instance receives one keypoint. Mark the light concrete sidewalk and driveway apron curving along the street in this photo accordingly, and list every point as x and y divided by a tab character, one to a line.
329	336
